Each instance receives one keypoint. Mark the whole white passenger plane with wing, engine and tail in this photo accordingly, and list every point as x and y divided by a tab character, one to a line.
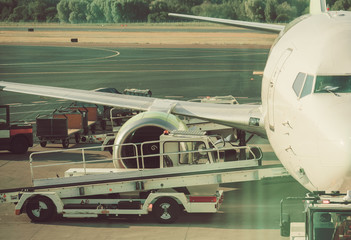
306	100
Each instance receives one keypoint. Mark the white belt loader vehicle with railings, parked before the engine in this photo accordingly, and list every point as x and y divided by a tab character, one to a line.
187	180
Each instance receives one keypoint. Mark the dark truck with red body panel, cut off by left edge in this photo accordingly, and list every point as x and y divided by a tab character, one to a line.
15	137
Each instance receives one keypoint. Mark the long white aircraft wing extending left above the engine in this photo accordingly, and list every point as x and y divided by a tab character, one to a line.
245	116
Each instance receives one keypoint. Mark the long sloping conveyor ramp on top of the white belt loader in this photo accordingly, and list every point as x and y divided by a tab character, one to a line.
102	181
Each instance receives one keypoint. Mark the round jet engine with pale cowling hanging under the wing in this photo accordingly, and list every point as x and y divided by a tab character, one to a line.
147	126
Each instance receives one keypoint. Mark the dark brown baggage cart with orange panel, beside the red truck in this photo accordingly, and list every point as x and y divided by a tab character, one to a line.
61	125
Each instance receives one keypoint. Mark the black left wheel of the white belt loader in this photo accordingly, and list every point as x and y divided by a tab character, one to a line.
40	209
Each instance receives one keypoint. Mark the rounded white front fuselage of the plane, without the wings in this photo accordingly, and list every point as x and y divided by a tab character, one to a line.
310	132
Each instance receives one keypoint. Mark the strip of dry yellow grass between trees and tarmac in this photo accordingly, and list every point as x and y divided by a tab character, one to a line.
154	35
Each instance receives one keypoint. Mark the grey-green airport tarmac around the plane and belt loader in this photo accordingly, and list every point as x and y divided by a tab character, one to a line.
250	210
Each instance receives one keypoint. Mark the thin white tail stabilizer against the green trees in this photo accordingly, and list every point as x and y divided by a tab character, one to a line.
275	28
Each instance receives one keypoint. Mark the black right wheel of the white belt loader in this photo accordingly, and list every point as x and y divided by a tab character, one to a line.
166	210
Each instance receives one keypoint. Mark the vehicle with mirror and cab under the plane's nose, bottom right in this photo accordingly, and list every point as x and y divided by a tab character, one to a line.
327	217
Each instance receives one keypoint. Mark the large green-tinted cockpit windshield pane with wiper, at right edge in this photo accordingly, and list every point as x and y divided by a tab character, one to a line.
335	84
